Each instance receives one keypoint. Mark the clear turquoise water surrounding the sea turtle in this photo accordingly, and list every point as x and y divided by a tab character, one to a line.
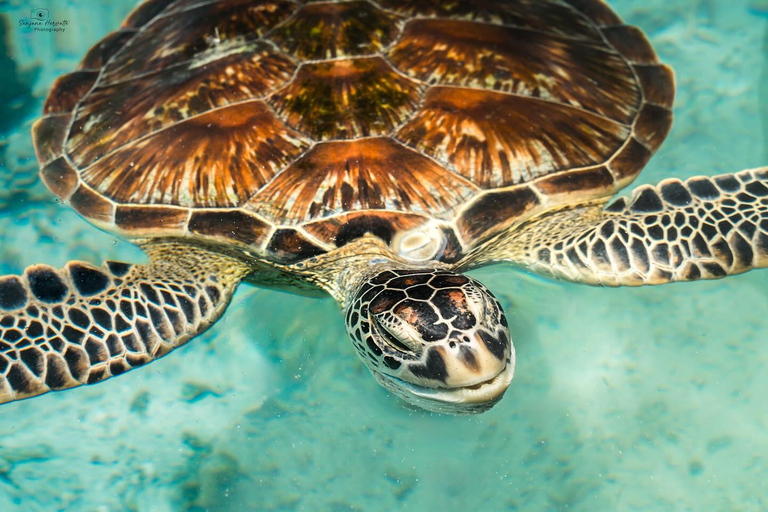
628	399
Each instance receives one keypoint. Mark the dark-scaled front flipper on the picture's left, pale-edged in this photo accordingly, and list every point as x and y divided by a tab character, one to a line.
82	324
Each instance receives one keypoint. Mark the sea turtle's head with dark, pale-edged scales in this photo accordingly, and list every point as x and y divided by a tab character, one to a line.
437	339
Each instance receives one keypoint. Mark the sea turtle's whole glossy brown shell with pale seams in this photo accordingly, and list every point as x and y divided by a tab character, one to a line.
293	127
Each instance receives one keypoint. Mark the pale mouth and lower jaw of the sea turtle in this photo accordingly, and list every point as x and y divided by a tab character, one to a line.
472	399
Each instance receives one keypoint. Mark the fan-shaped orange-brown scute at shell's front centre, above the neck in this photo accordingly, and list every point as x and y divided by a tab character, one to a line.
364	174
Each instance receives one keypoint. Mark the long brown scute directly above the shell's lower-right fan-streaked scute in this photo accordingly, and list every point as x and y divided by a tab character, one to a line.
540	65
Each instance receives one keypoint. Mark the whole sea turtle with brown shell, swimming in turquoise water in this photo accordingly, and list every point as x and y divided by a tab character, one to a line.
372	150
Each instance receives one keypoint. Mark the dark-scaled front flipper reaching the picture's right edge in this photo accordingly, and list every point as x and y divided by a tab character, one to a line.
702	228
